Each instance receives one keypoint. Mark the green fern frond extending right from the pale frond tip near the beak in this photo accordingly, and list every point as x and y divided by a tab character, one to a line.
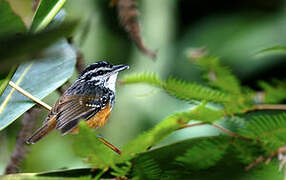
190	91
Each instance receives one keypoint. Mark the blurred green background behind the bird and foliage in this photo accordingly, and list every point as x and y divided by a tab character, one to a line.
234	31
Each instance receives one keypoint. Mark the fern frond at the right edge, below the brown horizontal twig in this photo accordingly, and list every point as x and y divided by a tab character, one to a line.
269	129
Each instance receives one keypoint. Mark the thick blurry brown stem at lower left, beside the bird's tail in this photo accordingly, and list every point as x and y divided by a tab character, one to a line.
20	150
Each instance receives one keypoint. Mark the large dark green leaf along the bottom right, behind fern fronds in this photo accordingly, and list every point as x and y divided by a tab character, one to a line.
228	167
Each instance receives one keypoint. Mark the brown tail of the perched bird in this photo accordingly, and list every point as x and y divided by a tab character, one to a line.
42	131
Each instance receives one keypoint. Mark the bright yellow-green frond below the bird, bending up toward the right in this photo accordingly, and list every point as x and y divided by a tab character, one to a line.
86	145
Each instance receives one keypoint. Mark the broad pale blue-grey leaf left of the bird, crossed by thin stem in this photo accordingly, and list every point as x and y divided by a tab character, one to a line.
39	78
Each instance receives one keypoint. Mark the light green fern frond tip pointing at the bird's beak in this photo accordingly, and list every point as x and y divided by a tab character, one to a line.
148	78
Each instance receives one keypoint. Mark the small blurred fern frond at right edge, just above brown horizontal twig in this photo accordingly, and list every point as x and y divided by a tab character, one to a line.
273	94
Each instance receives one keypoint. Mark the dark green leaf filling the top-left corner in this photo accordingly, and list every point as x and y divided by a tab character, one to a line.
10	23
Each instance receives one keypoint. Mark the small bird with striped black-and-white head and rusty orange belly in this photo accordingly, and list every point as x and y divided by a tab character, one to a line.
91	97
